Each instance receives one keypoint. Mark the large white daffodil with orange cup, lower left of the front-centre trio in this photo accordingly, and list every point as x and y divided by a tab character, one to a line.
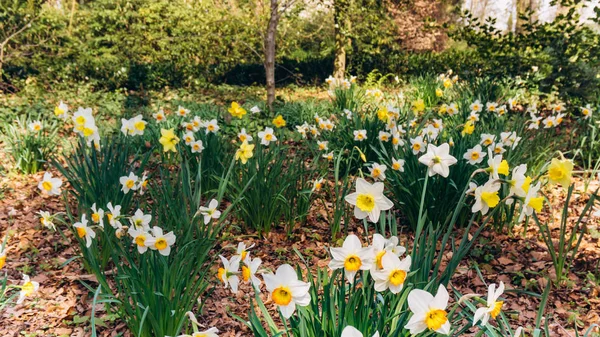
286	290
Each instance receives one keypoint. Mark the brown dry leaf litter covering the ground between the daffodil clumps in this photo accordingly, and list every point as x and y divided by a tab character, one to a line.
63	305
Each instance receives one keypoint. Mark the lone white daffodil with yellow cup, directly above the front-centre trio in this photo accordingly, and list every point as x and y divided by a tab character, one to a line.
368	200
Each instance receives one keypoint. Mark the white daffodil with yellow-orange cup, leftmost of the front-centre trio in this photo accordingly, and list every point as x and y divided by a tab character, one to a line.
352	257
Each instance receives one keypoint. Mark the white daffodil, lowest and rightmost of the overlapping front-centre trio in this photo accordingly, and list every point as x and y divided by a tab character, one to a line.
393	273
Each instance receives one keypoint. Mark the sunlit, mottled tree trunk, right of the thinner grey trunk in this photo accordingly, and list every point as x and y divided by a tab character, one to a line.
341	25
